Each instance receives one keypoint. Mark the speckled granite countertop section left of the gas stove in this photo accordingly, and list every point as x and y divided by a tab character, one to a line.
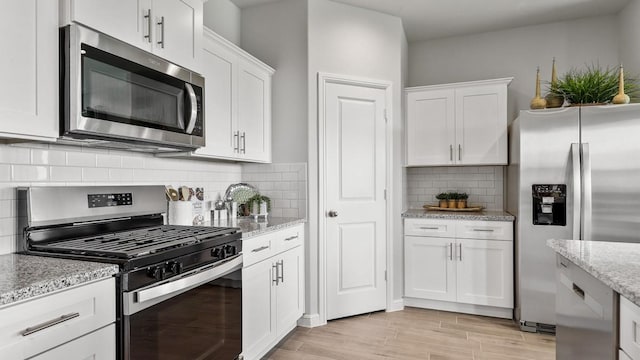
25	276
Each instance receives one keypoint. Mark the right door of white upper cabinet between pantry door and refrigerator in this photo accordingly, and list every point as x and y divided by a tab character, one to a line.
481	125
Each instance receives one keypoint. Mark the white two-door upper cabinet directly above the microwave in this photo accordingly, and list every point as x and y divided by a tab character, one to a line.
171	29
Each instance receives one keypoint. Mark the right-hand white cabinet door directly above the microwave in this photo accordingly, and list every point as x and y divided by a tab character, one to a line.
178	31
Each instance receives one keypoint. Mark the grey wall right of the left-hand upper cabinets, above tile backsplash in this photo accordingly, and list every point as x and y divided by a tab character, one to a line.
277	34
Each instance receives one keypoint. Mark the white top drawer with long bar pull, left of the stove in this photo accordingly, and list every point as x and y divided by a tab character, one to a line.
31	327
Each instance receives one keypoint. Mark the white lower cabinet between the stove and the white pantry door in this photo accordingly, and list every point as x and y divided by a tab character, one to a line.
273	289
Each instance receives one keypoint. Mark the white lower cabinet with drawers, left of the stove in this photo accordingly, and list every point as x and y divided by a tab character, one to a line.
75	323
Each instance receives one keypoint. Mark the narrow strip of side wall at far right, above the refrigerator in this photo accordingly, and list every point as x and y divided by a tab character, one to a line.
629	32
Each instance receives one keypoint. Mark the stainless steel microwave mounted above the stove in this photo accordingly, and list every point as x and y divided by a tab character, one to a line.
116	95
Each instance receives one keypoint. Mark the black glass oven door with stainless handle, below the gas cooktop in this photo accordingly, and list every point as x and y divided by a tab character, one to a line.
195	316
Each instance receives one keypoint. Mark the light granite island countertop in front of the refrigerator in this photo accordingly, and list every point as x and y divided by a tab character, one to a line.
616	264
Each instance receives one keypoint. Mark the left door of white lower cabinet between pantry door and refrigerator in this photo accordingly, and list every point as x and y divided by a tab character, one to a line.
430	268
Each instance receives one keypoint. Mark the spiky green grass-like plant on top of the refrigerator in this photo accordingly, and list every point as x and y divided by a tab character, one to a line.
592	85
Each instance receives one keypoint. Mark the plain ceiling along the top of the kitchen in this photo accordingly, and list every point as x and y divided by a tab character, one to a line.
431	19
